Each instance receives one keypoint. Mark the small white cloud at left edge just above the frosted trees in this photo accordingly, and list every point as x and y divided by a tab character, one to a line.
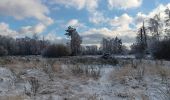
6	31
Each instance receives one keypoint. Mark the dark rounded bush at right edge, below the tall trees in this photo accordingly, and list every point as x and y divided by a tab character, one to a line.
161	50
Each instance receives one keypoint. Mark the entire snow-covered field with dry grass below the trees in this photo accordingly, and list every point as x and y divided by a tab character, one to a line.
36	78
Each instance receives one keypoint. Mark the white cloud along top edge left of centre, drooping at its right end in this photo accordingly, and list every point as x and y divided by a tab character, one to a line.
89	5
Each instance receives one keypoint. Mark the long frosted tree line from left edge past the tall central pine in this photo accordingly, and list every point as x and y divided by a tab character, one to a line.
35	46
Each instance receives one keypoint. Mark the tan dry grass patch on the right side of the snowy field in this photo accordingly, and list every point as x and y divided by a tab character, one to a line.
139	70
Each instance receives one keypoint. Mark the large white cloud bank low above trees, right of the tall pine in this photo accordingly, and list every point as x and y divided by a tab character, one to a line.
120	27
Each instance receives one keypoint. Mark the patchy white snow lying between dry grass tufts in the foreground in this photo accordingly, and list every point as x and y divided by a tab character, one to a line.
65	85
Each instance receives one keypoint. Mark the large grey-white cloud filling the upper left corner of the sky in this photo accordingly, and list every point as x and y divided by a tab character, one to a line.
23	9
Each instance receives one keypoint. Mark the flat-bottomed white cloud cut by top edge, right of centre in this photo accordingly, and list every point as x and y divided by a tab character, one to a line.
124	4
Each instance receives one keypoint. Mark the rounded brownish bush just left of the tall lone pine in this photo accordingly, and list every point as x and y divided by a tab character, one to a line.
53	51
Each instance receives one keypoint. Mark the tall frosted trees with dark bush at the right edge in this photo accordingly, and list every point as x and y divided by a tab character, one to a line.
154	39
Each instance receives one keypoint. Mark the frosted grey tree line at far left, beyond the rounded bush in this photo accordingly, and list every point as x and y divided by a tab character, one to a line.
21	46
